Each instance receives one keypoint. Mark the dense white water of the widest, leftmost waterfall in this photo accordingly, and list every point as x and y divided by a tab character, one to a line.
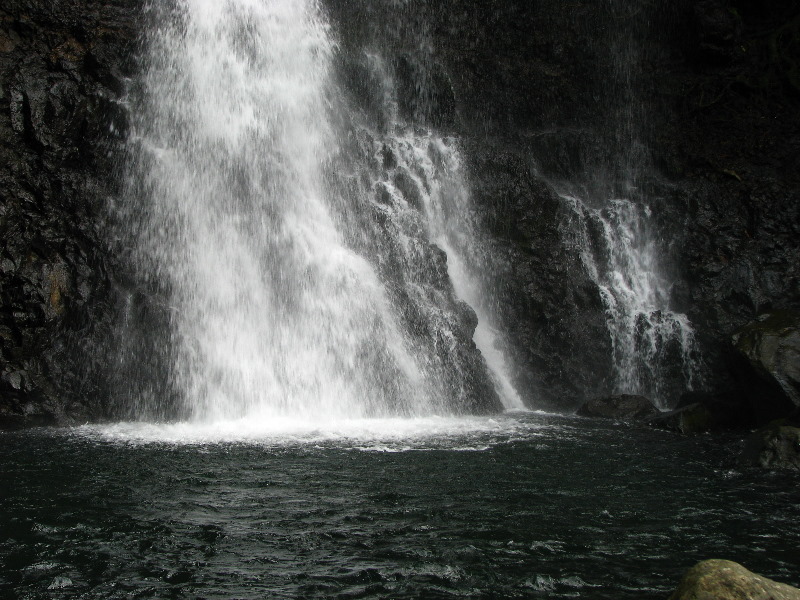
271	312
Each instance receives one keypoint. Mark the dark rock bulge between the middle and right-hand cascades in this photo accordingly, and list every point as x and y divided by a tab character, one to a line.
556	325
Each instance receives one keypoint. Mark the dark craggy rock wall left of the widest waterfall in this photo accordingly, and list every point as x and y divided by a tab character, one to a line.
62	70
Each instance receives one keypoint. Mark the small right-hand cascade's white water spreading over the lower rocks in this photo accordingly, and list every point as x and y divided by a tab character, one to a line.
622	259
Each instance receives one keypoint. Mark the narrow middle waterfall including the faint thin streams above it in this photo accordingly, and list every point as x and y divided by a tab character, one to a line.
422	175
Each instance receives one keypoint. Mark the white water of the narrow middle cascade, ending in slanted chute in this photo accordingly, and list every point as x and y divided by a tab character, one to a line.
427	176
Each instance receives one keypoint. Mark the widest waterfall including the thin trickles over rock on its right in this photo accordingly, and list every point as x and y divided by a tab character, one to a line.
292	280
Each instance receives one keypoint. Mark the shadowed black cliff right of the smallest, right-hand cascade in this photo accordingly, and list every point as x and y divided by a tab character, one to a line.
739	177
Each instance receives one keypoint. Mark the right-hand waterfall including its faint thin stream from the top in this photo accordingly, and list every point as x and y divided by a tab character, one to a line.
611	221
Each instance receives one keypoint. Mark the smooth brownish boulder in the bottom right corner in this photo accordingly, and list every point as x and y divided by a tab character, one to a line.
726	580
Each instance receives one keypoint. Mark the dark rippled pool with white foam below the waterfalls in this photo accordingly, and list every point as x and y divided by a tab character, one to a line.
525	506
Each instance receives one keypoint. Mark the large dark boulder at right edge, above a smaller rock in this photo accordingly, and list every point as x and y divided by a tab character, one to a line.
771	346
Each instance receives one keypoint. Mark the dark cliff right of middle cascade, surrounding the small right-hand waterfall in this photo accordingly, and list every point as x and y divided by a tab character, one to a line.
720	129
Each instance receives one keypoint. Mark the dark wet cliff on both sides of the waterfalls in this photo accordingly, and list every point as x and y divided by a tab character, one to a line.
530	88
